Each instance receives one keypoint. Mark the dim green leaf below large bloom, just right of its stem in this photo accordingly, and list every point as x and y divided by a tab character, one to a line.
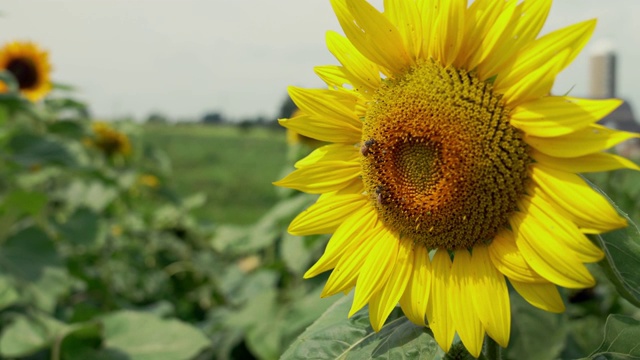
535	334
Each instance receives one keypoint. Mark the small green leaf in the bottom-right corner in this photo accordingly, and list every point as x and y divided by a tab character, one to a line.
621	334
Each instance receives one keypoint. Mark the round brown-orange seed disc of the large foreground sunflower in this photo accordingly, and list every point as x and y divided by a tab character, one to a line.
441	162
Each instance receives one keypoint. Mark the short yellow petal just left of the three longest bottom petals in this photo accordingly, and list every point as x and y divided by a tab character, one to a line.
416	295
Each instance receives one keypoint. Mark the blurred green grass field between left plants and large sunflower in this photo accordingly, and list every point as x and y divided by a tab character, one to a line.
232	166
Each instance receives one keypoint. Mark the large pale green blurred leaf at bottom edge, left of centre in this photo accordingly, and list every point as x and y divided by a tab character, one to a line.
144	336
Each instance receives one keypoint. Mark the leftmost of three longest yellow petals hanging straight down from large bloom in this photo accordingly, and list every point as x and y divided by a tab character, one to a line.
438	314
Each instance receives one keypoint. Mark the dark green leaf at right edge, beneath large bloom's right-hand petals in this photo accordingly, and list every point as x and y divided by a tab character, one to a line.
622	259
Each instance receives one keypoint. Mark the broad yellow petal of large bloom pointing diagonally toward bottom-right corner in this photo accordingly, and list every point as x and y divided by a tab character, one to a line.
552	260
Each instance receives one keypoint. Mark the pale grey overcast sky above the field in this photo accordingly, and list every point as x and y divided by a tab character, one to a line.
183	58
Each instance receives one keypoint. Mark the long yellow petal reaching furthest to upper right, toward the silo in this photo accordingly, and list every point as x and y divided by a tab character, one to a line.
545	50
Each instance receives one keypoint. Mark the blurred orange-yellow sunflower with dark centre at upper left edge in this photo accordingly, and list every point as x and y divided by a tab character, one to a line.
30	67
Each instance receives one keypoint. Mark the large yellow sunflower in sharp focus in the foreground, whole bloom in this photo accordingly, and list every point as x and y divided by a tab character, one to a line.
451	167
